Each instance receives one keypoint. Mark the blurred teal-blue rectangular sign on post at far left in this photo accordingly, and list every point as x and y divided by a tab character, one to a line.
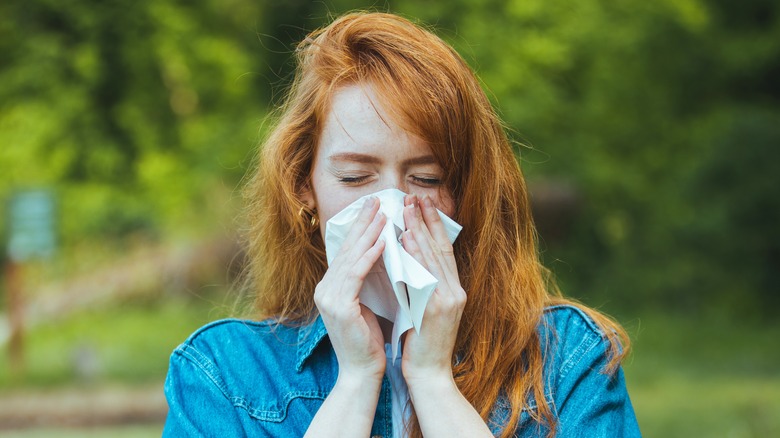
31	225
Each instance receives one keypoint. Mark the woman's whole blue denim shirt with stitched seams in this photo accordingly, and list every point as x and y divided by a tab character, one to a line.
235	378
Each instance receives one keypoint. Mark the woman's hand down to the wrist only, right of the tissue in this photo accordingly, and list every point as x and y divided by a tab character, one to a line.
427	356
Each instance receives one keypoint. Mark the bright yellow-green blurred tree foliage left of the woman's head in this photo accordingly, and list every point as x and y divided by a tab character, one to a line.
138	112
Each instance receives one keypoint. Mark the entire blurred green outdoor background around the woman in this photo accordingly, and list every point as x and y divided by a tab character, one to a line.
648	131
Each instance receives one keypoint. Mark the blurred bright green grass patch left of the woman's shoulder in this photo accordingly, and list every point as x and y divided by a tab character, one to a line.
128	341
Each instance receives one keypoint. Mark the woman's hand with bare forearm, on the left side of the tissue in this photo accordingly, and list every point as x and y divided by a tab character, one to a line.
353	330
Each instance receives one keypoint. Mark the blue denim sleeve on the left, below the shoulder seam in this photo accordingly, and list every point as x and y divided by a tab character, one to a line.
197	402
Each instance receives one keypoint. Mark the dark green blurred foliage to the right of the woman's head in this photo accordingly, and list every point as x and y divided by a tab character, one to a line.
664	117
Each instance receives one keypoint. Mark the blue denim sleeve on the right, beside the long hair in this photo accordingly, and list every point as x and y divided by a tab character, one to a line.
591	401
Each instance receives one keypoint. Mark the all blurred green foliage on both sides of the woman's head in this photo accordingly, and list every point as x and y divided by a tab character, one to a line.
661	115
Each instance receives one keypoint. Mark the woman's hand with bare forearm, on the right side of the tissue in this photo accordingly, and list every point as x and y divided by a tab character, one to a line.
427	356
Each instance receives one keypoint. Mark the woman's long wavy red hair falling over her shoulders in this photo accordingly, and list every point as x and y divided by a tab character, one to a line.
432	93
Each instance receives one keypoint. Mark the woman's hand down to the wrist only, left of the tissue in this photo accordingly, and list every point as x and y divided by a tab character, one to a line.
353	329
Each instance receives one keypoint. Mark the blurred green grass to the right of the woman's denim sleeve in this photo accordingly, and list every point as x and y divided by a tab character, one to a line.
705	377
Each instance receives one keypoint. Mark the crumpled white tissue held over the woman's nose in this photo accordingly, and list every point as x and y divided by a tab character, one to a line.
398	287
